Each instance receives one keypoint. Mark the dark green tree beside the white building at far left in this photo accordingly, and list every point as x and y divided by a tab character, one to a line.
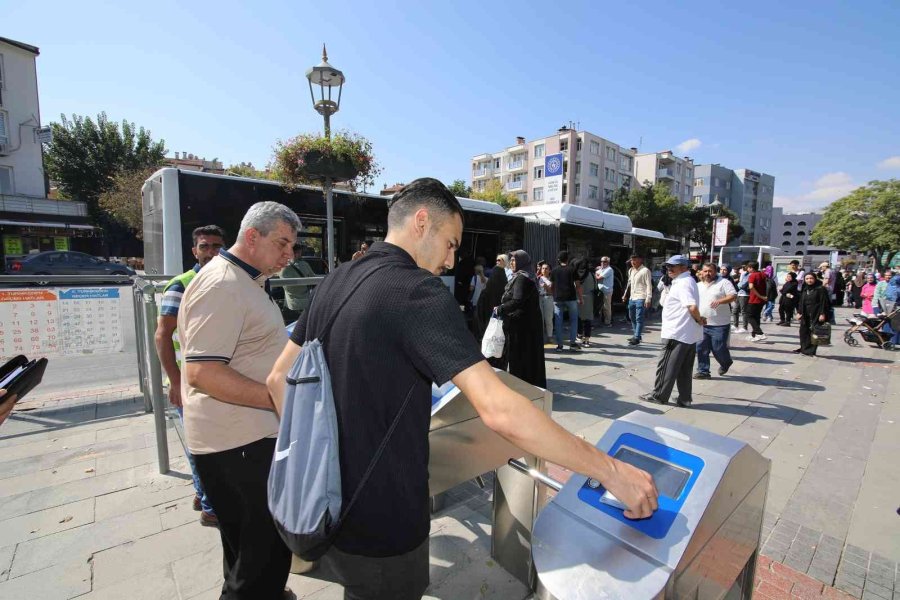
86	156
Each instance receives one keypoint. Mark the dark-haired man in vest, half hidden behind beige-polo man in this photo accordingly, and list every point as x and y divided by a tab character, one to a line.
207	241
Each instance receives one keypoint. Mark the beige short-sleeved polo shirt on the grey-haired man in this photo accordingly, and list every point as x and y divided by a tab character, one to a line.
227	316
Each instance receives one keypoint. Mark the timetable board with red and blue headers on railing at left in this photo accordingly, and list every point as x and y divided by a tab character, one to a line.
61	321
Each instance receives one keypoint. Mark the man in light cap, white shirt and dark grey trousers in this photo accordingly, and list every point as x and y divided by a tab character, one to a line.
682	328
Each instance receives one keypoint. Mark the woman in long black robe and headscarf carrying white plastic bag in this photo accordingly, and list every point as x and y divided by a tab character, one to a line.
522	324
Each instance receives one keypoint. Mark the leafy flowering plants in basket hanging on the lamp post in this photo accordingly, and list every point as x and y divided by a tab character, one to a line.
291	157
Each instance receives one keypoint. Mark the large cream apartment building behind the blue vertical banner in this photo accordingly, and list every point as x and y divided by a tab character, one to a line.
593	168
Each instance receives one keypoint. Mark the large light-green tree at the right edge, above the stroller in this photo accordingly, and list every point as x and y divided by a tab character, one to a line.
866	219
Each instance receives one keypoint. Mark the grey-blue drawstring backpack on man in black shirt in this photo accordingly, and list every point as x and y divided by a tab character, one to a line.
305	479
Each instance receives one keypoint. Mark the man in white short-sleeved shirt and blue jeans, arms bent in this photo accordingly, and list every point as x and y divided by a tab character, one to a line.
716	294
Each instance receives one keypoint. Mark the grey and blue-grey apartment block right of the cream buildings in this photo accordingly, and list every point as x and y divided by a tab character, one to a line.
749	194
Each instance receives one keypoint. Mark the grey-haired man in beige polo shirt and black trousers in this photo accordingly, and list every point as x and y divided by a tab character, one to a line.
232	334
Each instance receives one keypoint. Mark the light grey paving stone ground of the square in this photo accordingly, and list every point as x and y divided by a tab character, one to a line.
87	515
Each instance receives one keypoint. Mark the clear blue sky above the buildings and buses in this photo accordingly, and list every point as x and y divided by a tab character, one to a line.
806	91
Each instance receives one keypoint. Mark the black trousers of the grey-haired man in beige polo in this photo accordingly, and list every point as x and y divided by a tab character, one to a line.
256	562
